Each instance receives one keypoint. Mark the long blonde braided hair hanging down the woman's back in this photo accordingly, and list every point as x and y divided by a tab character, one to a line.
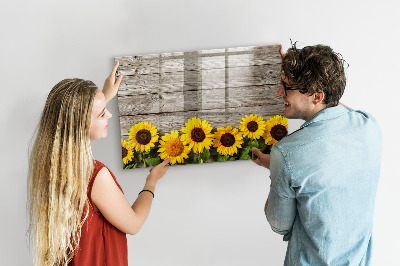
60	168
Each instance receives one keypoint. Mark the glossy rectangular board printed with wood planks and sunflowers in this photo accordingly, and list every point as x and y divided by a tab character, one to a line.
200	106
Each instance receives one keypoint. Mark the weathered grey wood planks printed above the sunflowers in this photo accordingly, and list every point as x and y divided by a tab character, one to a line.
219	85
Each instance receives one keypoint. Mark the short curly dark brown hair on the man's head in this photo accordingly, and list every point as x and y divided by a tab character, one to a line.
316	69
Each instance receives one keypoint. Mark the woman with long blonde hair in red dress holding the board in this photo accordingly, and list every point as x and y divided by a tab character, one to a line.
78	212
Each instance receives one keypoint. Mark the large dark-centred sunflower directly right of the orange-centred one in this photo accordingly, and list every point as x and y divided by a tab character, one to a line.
197	134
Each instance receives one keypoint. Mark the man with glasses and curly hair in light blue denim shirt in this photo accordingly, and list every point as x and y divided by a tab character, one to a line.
323	176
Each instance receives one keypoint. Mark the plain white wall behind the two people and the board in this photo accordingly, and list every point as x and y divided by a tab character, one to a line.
202	215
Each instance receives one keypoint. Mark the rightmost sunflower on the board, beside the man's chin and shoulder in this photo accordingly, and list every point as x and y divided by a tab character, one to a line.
275	130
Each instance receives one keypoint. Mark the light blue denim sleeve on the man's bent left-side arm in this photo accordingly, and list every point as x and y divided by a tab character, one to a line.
281	210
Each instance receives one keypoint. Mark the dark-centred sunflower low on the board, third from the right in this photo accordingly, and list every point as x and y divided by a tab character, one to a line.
227	140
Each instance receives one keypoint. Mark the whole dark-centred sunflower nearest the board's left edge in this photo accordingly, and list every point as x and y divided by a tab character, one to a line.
143	135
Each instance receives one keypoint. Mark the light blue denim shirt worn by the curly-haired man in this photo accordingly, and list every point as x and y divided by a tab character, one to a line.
324	178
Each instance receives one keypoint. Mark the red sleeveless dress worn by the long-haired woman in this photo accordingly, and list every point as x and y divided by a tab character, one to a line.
101	243
